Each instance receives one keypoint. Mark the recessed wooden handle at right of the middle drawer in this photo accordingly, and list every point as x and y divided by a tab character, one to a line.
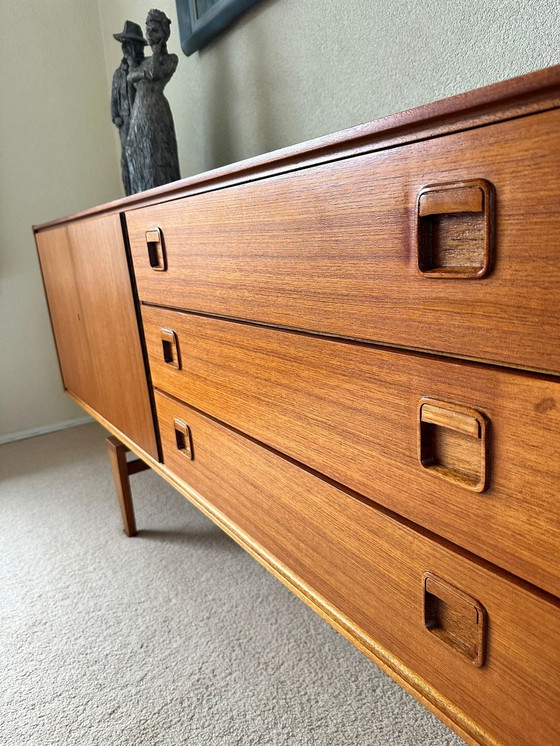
452	442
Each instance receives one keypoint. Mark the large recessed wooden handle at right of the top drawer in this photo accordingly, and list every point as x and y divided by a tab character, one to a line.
455	230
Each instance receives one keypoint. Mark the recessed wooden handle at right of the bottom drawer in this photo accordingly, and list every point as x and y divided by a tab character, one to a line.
456	618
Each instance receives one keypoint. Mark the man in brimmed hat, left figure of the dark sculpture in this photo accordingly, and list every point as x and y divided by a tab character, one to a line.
122	92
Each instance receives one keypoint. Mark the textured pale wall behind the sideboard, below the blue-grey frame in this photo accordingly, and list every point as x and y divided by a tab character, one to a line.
291	70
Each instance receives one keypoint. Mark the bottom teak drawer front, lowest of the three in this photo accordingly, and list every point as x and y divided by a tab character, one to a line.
385	578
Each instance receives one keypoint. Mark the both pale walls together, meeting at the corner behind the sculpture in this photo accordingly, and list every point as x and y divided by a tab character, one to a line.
288	71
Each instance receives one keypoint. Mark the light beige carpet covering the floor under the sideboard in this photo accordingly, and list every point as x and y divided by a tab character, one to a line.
174	637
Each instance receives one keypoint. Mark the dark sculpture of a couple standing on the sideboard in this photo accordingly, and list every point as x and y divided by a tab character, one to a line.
140	110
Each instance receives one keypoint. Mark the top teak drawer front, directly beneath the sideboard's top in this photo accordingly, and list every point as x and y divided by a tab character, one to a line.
335	248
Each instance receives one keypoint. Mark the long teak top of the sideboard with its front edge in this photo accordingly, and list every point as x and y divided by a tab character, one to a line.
527	94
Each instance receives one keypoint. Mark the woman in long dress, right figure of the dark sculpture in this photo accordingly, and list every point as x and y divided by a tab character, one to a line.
151	145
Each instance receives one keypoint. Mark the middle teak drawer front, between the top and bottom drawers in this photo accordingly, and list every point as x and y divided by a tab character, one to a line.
489	439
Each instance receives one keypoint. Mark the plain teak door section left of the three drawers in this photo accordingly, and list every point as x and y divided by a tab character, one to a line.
90	298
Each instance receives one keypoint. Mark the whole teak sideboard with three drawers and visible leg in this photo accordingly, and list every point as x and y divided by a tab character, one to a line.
347	354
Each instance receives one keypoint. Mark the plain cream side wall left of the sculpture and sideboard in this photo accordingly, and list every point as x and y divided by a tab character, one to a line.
57	157
